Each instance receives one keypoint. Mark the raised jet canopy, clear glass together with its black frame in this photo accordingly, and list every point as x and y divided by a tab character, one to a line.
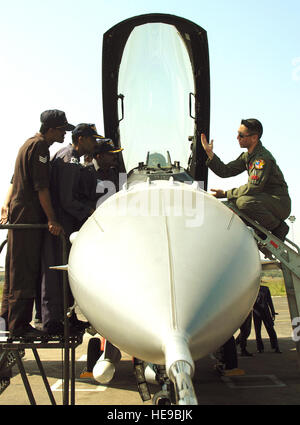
156	91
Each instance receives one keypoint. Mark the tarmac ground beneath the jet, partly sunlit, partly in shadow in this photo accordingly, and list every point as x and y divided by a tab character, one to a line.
270	378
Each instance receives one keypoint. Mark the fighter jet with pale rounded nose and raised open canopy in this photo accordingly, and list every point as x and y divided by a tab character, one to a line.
162	269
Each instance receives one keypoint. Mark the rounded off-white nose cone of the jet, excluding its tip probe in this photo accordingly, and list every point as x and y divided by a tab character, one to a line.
140	278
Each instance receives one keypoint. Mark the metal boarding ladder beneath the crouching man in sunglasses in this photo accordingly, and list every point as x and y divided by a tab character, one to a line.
284	255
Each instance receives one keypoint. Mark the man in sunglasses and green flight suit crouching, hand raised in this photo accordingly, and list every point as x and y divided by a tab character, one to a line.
265	197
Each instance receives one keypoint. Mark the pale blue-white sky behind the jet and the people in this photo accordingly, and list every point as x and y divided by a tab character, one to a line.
51	53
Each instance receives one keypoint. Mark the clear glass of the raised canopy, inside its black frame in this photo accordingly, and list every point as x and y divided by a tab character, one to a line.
155	97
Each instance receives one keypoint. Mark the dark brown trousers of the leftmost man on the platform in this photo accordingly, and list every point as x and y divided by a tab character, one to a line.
22	277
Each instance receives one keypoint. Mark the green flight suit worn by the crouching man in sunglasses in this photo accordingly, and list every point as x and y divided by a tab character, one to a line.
265	198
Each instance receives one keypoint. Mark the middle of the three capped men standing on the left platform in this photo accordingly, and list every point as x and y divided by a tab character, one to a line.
73	189
